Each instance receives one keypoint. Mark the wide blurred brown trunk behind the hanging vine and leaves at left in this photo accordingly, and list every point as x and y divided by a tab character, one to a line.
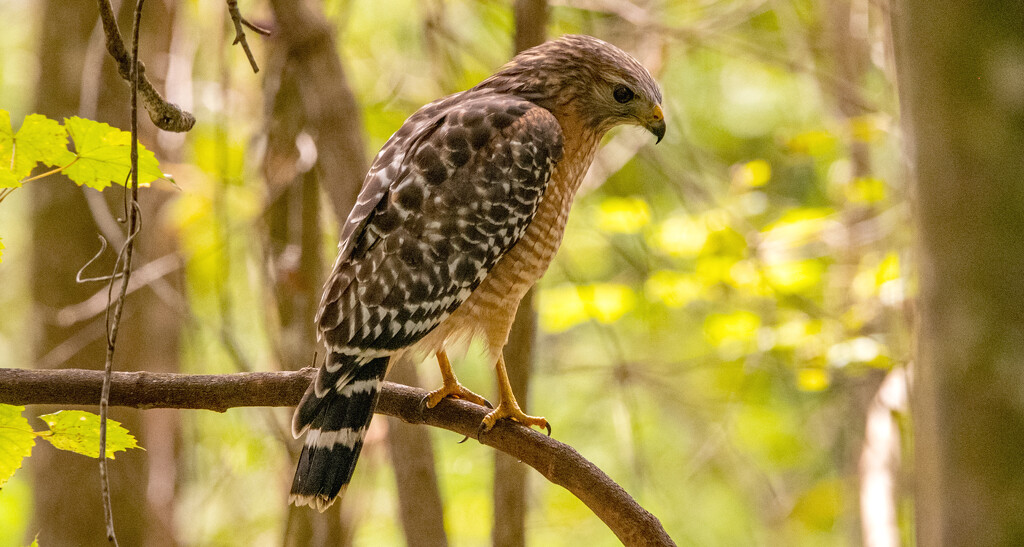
67	493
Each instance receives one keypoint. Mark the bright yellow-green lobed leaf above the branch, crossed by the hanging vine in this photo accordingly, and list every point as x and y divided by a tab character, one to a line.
104	156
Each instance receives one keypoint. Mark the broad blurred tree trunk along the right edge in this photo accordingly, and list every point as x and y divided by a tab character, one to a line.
960	65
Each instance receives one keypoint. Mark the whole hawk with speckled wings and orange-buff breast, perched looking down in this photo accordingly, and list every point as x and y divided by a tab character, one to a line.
460	215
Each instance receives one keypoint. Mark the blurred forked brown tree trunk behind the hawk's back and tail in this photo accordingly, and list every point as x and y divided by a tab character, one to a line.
314	98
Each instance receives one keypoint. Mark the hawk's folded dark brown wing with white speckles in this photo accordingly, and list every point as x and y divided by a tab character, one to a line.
446	198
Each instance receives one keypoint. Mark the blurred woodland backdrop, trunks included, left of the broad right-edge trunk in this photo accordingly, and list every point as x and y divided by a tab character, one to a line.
714	333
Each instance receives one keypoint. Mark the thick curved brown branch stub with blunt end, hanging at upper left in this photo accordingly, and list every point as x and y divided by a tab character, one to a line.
164	115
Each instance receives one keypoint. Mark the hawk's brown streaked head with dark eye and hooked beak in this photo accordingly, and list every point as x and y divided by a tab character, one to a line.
590	78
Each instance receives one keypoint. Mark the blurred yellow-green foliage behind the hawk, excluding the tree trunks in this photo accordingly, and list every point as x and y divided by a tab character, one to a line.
721	314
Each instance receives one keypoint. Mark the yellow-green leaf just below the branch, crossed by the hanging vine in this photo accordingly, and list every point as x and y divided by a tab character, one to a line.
79	432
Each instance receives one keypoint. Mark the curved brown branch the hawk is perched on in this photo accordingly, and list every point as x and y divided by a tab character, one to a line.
560	464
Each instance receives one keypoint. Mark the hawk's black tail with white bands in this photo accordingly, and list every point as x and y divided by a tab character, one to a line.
335	413
